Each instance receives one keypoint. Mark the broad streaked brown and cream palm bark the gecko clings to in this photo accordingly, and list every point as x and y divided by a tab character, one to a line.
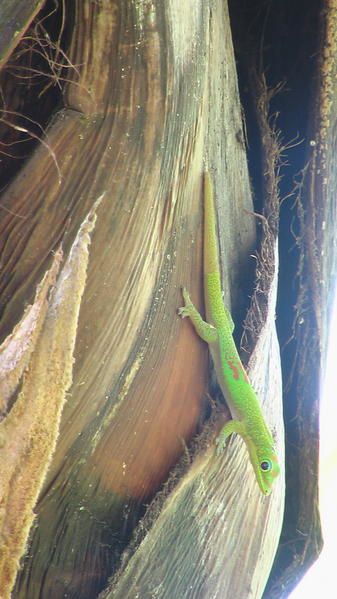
156	96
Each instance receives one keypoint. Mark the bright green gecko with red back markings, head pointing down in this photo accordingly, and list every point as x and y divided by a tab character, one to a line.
248	420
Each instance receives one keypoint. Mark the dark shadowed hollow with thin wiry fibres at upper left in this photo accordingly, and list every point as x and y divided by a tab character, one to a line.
31	86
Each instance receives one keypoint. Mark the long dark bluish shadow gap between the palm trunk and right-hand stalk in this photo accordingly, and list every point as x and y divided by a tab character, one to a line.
281	39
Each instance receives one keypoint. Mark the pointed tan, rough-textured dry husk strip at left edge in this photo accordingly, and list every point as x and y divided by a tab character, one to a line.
30	429
